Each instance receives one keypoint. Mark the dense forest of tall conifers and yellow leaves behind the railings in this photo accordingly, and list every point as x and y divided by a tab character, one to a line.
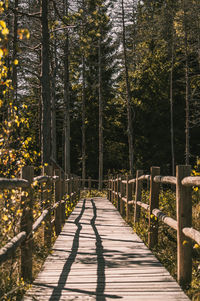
99	86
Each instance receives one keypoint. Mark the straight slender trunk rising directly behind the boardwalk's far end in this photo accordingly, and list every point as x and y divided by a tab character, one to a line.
100	118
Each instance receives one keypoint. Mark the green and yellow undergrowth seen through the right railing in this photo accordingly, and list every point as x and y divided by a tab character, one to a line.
166	249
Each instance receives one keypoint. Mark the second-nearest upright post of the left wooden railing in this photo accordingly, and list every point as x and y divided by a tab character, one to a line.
48	202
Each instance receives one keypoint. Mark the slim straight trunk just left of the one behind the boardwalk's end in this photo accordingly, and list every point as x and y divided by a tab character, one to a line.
83	124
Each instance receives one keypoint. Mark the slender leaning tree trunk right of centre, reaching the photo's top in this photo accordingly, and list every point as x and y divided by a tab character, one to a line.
128	94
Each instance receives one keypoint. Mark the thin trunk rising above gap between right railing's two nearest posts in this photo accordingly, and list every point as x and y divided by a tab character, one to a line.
171	107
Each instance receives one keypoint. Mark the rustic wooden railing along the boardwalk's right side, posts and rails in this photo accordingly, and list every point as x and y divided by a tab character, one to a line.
126	192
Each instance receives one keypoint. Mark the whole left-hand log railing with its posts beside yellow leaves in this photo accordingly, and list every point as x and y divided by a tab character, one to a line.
30	228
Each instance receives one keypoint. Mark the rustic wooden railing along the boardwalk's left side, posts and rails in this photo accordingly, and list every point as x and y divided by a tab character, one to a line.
53	214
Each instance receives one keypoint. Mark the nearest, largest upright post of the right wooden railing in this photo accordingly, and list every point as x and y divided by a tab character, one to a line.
184	219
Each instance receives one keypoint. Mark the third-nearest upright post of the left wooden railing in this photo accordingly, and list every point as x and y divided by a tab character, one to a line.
58	212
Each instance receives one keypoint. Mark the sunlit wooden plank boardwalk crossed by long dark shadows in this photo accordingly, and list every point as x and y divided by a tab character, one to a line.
98	257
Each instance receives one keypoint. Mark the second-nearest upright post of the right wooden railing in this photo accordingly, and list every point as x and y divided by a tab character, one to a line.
154	203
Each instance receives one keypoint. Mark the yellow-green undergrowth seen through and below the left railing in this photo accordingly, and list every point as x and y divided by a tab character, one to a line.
12	286
